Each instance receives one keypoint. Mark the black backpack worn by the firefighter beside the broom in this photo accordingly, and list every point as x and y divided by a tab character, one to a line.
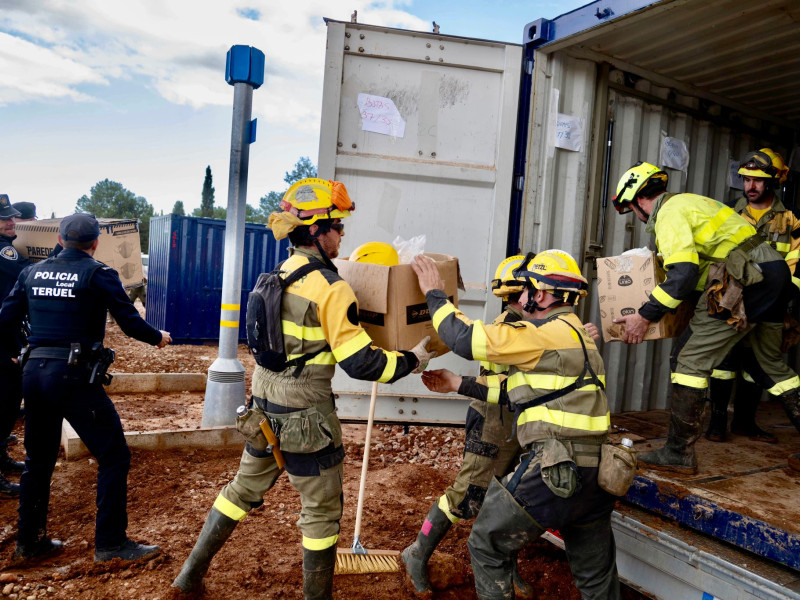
263	319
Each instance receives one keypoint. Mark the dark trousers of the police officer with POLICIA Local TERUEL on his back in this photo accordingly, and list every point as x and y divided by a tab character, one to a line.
53	392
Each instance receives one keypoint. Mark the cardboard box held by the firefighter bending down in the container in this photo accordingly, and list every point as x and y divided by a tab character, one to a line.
624	284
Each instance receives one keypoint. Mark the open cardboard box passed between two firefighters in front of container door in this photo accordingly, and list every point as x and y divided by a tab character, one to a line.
392	309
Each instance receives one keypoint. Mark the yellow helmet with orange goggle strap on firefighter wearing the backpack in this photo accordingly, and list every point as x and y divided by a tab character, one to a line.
312	199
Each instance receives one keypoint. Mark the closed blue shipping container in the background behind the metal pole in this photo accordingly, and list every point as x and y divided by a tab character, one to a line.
184	287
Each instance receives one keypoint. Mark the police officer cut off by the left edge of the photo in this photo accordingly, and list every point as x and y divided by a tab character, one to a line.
11	264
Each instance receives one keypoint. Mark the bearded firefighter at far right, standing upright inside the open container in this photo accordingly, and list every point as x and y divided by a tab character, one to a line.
763	171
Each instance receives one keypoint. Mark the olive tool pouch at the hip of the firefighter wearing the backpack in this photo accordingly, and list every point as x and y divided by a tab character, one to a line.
307	431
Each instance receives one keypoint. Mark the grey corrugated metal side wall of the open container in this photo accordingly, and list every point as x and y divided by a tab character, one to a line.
563	202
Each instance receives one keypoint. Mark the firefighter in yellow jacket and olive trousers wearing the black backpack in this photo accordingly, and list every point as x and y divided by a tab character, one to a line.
319	317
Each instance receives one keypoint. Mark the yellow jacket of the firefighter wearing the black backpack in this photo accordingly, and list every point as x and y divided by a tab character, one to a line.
320	312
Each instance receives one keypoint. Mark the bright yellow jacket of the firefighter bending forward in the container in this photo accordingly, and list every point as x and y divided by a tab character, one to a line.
689	230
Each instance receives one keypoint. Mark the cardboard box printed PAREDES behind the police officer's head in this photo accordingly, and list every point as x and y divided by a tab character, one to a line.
119	246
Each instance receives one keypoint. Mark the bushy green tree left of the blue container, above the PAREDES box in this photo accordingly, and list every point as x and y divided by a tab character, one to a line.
110	199
